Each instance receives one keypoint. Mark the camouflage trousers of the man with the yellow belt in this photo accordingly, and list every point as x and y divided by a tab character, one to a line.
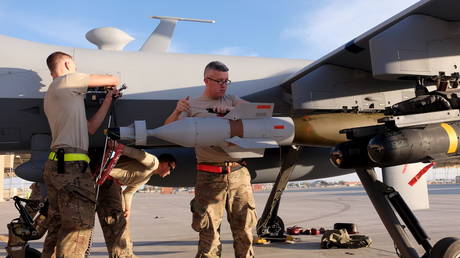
71	212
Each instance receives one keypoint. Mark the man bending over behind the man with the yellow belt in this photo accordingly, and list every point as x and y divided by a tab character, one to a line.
133	170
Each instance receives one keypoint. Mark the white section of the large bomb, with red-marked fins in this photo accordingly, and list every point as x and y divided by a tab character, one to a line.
244	132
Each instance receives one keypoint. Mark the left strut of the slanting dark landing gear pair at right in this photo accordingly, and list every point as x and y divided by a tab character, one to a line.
375	190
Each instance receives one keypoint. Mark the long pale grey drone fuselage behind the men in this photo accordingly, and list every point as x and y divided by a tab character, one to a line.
155	82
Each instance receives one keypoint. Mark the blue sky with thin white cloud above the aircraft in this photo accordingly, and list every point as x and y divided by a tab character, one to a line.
305	29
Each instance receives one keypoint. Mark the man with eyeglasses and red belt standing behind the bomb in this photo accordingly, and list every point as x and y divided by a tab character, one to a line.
222	182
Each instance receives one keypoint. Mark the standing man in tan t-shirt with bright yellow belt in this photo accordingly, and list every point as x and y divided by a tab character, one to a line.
71	188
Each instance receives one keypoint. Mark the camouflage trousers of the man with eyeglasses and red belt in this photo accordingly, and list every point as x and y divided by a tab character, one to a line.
215	193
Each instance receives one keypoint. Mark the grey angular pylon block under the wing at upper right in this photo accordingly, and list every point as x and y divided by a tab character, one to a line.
419	45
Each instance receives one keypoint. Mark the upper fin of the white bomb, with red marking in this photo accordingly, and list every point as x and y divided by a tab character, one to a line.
251	111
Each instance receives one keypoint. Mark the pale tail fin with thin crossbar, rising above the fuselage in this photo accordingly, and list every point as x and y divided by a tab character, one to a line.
160	39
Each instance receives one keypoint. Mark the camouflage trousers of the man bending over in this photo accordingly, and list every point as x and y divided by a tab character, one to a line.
113	222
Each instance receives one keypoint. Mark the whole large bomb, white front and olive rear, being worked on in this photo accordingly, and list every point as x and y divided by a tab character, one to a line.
248	129
